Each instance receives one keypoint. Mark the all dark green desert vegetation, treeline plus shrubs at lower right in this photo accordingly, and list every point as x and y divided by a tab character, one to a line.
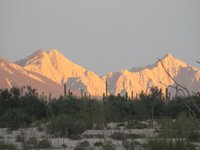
69	117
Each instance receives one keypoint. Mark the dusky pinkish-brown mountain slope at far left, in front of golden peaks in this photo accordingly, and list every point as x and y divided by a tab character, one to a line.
13	75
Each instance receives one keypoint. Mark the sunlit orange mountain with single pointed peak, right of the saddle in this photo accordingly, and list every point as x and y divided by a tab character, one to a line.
155	75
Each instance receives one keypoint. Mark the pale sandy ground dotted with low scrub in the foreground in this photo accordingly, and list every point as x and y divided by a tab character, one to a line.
92	136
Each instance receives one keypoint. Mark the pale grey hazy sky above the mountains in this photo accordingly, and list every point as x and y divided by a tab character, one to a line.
103	35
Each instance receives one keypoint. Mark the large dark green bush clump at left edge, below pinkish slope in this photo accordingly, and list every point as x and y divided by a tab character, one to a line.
19	108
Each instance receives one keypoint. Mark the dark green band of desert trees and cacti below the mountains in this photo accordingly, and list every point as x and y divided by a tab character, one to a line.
19	107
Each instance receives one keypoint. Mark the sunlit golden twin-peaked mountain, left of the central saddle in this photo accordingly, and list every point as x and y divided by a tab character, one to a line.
55	66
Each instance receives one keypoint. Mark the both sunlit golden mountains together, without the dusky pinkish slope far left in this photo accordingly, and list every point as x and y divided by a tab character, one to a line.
56	67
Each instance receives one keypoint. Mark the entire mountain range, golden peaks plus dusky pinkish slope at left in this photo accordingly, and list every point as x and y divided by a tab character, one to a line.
49	71
